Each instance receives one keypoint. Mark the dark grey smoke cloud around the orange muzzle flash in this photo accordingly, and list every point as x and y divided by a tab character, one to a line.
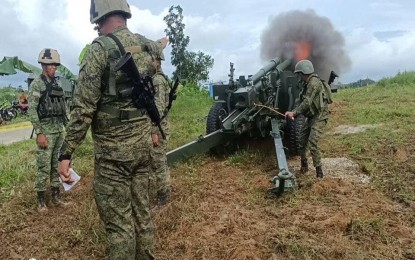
327	44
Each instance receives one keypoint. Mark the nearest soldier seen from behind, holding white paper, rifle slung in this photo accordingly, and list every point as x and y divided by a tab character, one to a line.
121	132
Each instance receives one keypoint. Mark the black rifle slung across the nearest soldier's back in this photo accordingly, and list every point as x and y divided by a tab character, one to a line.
142	90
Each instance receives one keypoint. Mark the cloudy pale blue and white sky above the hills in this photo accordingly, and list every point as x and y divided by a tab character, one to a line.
379	35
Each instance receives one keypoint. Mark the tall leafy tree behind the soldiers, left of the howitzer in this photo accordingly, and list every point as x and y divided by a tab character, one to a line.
191	66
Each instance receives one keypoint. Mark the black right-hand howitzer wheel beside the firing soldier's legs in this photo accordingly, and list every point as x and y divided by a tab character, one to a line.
292	135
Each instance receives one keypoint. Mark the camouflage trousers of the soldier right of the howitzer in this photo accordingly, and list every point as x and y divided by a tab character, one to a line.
310	135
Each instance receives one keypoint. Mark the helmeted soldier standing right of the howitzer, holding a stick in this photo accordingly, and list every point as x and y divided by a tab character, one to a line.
315	109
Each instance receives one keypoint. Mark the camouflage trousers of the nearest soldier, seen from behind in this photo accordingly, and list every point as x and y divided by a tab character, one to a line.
121	191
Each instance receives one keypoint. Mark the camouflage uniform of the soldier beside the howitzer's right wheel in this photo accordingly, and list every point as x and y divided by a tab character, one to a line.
316	112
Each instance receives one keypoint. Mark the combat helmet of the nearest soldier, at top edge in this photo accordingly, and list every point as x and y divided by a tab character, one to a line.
100	8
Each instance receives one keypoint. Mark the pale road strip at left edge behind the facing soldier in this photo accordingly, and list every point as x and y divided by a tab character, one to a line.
14	133
